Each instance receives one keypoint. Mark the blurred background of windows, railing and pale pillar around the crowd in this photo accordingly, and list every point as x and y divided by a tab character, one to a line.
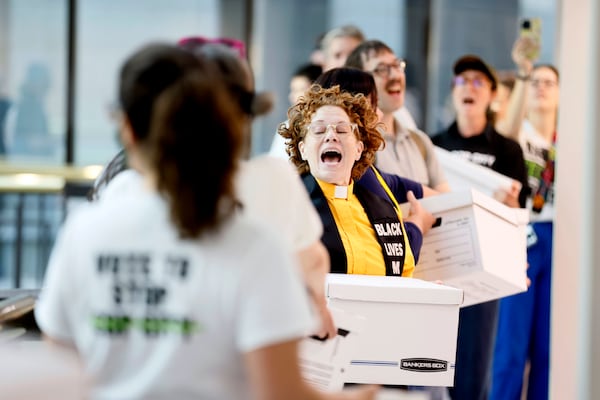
58	65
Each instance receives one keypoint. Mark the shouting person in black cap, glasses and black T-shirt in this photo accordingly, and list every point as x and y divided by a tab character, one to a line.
473	136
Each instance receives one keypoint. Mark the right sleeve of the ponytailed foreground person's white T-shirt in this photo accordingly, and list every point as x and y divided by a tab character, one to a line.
273	303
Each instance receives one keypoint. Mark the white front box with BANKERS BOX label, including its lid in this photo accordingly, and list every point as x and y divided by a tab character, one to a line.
410	330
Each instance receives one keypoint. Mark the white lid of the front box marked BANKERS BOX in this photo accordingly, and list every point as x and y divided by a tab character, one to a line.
390	290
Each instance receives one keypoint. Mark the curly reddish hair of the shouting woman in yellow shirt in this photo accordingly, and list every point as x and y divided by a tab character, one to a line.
359	110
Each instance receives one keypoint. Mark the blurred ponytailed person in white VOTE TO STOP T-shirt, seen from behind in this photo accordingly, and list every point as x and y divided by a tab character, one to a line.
167	290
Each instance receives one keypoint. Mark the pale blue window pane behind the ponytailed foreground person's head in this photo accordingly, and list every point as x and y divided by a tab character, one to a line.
108	31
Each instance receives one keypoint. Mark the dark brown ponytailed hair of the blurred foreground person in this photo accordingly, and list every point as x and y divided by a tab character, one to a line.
175	110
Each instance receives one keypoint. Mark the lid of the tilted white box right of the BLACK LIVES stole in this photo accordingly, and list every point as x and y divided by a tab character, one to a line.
468	197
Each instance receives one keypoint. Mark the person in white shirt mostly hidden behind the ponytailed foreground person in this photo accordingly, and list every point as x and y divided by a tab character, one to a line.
266	186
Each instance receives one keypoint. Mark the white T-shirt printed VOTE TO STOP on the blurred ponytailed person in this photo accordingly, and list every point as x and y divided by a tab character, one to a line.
154	316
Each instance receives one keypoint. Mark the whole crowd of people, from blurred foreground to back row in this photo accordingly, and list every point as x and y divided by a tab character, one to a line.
196	277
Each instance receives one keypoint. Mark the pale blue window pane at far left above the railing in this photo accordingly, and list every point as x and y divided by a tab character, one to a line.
32	79
